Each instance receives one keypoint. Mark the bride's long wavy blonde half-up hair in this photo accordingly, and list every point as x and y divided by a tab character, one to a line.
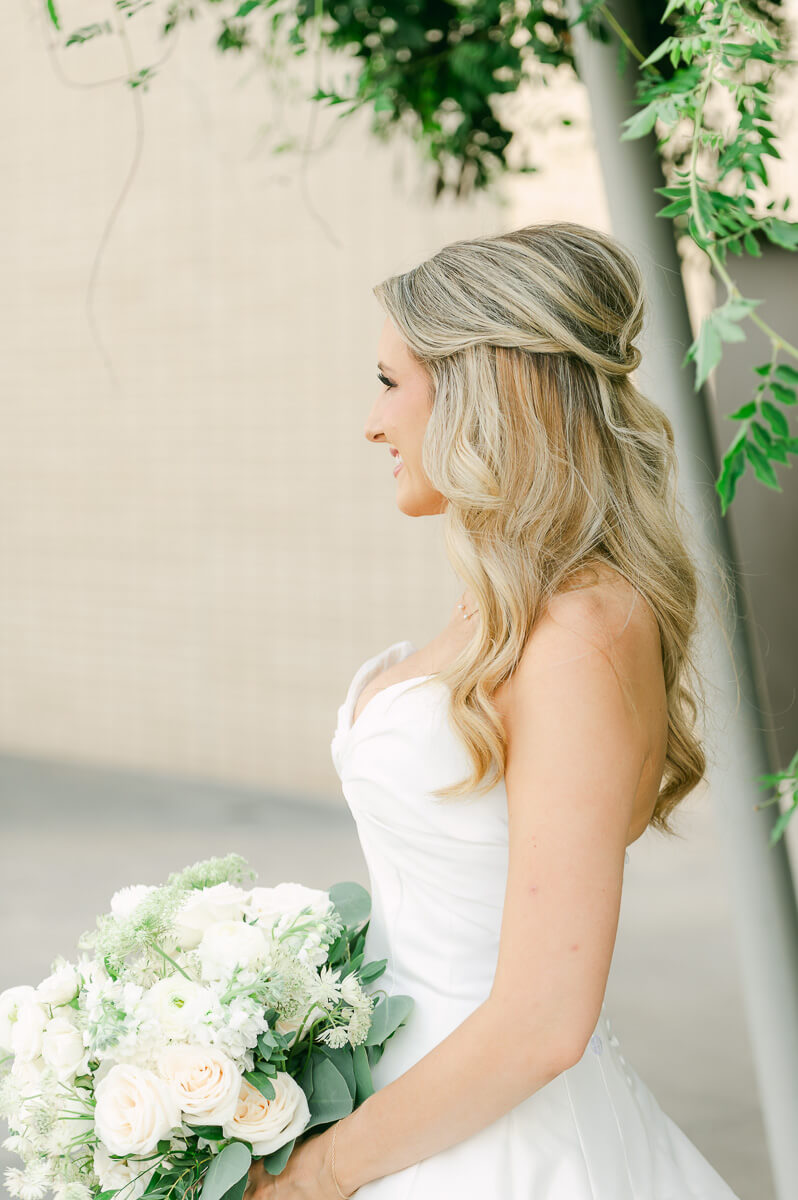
551	461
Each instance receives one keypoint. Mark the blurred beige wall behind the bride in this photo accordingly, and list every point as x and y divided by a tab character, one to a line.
199	550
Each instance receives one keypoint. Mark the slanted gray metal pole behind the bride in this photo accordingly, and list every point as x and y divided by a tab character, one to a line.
761	885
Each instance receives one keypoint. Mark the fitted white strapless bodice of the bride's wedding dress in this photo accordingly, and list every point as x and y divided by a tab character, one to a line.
437	871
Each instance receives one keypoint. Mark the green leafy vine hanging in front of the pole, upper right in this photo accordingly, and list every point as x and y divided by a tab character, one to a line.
712	49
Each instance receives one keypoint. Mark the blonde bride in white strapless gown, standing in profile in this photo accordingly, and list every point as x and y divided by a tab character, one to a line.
499	775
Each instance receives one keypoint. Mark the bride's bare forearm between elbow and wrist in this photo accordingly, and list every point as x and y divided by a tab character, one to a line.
477	1075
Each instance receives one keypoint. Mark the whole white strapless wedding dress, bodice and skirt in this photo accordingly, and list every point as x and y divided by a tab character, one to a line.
437	877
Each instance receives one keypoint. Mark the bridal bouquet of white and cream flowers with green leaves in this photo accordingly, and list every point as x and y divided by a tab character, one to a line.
208	1024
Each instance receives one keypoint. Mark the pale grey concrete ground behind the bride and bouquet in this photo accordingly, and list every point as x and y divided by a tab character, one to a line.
71	836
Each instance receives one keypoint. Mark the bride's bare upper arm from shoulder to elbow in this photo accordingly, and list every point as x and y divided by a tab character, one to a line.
575	755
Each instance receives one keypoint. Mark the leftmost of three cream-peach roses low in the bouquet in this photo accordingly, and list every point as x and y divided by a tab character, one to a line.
135	1111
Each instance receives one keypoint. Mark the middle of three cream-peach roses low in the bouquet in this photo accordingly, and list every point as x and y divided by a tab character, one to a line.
206	1083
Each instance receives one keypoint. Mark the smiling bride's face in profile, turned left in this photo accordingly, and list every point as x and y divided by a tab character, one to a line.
398	421
